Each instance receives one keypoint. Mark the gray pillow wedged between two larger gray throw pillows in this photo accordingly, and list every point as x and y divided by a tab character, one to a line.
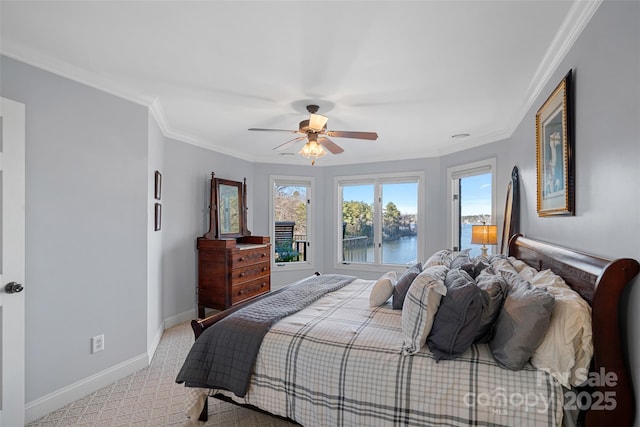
494	290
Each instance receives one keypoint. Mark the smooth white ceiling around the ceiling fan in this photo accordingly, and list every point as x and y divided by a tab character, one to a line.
416	72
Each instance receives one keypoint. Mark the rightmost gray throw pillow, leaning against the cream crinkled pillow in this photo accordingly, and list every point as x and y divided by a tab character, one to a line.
522	323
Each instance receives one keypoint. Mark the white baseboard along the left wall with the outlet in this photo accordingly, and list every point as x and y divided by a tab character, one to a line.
59	398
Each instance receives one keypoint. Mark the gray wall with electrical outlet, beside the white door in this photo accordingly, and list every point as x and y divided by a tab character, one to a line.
86	227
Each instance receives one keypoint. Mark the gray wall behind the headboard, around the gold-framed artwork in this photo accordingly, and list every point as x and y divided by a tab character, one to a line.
606	64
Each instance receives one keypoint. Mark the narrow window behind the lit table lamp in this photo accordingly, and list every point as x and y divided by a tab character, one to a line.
472	192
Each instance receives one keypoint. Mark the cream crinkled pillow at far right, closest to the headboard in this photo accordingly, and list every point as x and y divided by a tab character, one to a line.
567	348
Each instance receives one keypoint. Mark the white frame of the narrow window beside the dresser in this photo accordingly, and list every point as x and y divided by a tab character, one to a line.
309	182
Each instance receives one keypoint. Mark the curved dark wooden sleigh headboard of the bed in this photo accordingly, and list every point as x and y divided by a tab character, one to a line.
600	282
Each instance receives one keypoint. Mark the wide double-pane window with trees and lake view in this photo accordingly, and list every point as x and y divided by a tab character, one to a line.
378	219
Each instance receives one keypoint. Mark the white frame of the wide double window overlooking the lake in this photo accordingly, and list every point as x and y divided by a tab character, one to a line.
377	181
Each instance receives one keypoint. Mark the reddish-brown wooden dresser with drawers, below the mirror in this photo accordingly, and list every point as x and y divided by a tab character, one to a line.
231	271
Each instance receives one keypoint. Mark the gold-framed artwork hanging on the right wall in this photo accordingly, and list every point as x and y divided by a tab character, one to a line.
554	152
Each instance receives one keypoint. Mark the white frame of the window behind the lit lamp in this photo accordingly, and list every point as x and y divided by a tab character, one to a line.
462	171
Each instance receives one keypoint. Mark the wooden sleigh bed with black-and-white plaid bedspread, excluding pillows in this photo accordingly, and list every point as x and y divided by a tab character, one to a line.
338	361
